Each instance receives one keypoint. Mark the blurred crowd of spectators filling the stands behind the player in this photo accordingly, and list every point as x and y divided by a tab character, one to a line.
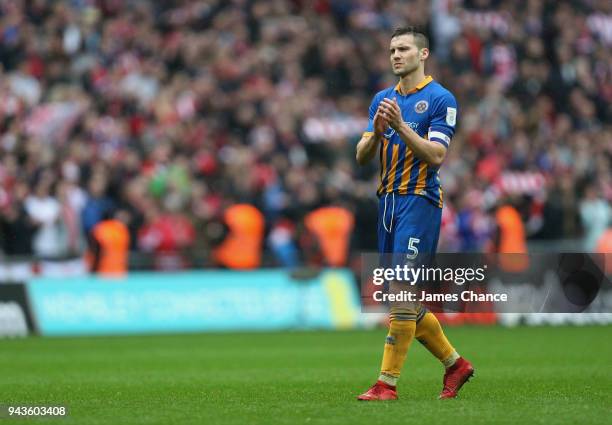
167	112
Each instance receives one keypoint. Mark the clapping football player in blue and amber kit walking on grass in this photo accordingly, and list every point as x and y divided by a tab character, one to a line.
411	126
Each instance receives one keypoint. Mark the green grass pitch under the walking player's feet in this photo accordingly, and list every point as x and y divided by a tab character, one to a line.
541	375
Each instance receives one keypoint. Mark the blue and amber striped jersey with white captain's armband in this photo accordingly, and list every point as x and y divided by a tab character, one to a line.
431	111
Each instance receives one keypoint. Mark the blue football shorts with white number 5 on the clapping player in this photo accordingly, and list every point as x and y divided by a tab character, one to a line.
408	224
